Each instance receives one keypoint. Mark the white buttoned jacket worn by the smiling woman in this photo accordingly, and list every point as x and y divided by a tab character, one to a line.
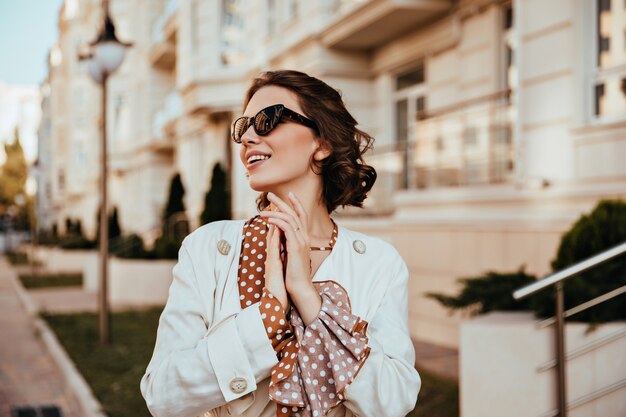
213	358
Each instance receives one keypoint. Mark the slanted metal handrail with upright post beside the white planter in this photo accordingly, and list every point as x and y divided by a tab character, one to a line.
558	280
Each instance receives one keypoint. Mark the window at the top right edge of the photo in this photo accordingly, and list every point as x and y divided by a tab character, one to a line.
608	92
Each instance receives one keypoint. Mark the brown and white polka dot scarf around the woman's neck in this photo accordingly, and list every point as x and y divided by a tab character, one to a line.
316	362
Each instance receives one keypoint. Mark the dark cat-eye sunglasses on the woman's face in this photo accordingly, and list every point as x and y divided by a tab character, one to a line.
266	120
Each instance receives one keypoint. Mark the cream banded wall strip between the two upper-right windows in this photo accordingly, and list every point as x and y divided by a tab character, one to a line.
548	88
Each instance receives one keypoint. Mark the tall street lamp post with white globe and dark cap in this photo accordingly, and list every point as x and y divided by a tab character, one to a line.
105	57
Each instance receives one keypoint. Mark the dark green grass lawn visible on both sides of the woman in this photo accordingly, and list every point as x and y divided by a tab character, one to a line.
114	371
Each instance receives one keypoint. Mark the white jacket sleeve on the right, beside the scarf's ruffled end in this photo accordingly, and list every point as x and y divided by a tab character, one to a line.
388	383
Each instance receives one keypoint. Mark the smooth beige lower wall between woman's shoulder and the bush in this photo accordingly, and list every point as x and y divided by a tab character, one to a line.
444	236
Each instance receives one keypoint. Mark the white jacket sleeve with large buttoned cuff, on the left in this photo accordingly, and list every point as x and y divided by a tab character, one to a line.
197	365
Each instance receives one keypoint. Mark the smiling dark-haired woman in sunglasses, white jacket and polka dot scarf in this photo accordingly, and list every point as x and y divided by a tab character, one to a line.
288	314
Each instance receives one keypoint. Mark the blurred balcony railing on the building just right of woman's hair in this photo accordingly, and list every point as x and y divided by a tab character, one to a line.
470	143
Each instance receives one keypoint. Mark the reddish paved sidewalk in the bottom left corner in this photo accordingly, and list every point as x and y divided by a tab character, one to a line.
28	376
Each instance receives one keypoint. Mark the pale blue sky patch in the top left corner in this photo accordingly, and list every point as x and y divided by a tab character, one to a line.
28	28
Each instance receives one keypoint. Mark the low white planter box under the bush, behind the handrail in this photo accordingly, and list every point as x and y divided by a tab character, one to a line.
499	359
